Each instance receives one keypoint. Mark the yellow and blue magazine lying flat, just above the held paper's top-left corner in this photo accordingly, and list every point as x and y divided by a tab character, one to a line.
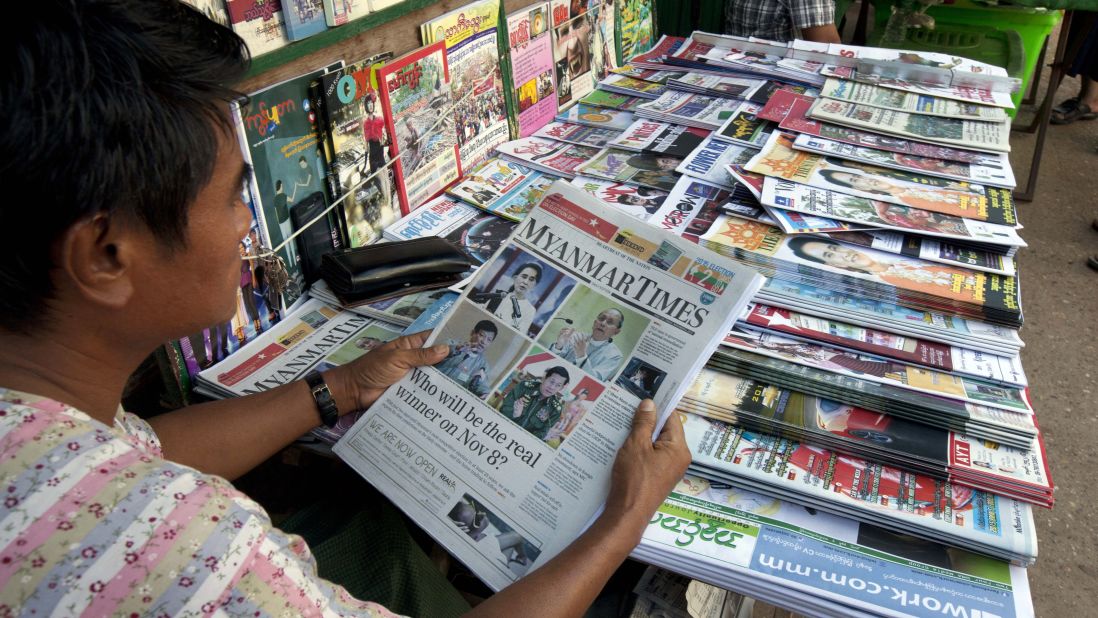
502	187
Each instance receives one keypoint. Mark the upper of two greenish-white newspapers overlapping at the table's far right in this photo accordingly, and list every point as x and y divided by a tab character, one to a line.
901	102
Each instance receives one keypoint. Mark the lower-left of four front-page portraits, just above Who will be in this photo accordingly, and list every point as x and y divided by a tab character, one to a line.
481	349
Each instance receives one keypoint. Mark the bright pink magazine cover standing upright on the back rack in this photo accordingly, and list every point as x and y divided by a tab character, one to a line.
534	84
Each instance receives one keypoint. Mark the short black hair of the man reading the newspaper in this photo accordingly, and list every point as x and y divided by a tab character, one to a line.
114	107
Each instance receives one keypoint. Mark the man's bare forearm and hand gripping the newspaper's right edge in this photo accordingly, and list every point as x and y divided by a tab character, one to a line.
645	473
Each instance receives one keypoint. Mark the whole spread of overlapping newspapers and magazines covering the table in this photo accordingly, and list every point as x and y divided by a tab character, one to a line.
864	439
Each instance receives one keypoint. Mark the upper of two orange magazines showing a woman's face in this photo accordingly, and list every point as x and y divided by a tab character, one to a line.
779	160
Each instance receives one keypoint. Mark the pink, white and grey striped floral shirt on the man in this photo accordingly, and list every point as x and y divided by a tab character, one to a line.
97	523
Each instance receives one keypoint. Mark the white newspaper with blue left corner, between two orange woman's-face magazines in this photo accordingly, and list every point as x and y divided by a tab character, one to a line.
876	214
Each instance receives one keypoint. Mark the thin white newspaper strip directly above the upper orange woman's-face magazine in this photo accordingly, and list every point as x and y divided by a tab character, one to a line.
998	174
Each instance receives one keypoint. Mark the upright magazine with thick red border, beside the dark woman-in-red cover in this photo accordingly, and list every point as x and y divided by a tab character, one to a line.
416	100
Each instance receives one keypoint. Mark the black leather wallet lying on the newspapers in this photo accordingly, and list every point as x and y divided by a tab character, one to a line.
376	273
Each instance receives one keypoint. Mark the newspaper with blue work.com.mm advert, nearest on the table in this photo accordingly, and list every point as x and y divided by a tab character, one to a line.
821	565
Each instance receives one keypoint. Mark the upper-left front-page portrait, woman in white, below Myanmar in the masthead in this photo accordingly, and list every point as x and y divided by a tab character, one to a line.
518	289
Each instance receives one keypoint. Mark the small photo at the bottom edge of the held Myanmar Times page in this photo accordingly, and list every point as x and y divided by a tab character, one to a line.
496	541
